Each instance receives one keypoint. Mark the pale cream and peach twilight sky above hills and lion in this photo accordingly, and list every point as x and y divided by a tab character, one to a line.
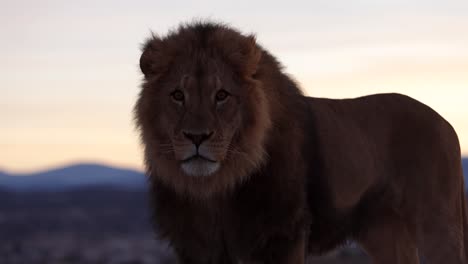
69	72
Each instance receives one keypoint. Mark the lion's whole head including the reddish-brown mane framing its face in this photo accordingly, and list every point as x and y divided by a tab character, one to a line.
202	113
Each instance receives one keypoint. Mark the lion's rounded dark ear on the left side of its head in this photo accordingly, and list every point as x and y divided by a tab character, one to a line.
152	61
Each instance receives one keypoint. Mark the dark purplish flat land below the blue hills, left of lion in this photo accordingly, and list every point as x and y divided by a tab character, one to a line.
87	225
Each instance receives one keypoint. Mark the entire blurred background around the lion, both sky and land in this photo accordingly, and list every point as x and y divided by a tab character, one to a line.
71	183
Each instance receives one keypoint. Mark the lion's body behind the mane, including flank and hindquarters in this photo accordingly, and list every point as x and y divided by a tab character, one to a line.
388	160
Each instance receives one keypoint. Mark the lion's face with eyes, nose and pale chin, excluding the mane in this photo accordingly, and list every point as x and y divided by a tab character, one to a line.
198	116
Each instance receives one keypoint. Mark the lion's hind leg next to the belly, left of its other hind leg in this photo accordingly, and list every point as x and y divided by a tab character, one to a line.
389	242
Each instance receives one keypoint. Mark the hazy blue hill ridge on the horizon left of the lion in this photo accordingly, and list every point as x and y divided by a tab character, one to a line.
74	176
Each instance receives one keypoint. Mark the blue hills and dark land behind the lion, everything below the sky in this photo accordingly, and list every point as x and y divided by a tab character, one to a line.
89	214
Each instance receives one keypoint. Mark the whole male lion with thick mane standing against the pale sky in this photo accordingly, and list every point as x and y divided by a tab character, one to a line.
246	169
